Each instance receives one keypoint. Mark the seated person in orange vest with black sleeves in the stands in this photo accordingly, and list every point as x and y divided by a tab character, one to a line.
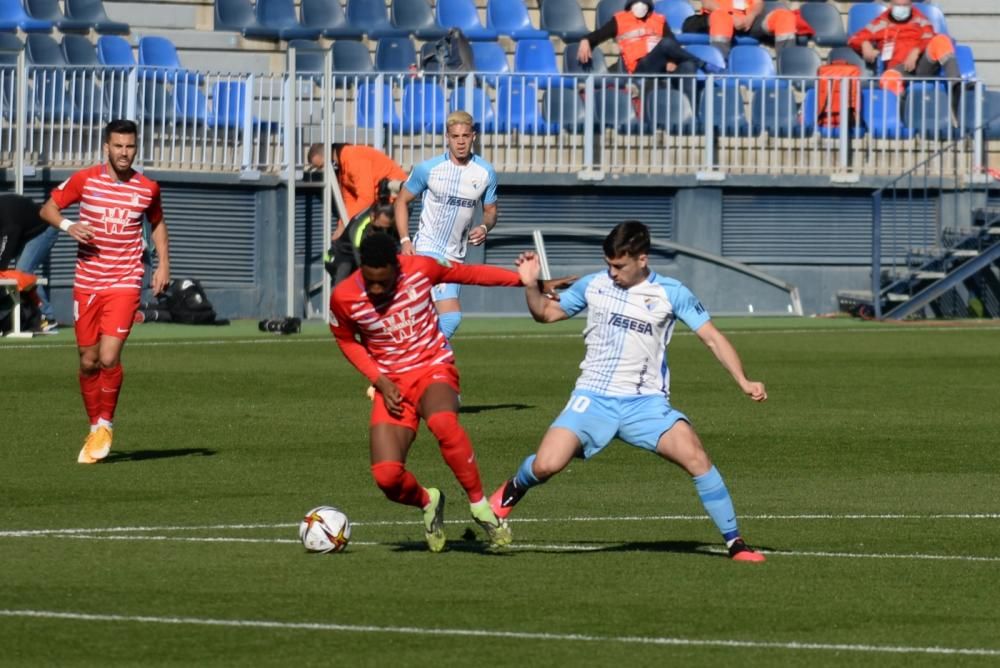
647	45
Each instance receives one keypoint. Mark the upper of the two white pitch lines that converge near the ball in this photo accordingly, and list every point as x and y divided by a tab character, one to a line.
20	533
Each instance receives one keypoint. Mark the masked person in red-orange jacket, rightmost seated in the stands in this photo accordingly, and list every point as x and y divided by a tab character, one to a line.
906	42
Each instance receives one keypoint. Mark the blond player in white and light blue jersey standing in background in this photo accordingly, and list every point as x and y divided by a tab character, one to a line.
451	186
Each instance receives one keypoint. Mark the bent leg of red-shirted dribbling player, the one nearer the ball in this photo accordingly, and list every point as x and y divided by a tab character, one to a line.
390	443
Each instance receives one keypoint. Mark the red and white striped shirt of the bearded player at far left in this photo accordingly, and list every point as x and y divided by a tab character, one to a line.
114	210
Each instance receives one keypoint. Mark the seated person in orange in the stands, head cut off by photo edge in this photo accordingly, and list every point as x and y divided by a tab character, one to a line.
722	19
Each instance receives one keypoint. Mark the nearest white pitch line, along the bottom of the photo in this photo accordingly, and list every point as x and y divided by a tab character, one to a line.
506	635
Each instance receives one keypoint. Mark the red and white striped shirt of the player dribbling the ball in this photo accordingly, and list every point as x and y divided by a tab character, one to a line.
402	335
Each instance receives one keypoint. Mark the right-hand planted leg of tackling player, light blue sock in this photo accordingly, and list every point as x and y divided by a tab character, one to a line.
681	445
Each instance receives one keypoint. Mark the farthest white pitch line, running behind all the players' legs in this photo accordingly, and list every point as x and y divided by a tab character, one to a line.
554	335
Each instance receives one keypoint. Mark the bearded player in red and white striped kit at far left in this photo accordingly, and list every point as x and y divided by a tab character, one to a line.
113	199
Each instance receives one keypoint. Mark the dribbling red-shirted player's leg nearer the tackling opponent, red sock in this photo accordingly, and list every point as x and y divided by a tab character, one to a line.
439	407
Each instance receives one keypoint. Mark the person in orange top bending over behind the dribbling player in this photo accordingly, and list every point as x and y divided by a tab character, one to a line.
359	171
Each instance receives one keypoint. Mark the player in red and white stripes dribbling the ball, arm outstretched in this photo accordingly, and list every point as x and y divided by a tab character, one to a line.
386	325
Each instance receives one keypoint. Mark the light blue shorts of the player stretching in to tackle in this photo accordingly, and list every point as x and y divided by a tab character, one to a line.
596	419
